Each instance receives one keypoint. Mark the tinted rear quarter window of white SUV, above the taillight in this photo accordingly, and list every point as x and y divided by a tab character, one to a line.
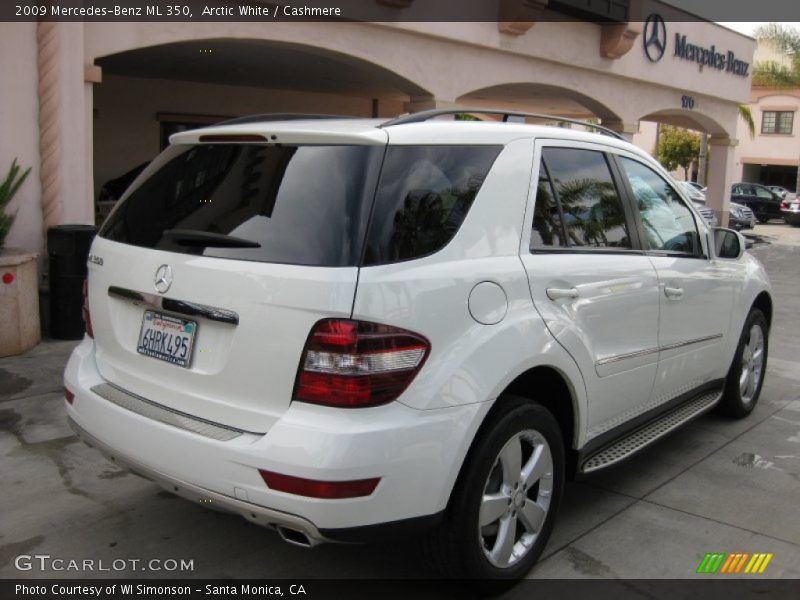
423	197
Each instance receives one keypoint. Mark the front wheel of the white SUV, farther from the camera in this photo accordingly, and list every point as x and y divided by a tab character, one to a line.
746	375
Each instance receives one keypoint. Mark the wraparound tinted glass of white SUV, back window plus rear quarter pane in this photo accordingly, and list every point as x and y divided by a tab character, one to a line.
302	205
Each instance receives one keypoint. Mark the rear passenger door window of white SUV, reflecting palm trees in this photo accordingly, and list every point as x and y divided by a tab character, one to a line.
592	209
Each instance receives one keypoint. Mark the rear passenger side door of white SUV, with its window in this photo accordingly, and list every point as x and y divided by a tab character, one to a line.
590	280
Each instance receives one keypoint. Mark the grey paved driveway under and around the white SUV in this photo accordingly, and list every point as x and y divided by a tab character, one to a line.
715	486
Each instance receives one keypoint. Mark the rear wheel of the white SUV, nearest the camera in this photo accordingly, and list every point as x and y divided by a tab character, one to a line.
523	431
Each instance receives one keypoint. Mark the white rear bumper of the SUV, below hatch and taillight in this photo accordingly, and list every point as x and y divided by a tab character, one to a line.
416	454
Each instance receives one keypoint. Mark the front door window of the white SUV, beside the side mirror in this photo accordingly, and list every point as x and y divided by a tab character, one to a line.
669	224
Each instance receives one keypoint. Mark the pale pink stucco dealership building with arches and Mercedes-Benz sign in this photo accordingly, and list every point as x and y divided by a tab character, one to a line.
84	103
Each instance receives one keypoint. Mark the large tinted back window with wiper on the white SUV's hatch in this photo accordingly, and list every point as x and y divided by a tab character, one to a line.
304	205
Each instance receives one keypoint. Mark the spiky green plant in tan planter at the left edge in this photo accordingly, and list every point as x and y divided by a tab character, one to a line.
20	329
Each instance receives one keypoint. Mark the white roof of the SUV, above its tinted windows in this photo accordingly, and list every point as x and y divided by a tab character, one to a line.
373	131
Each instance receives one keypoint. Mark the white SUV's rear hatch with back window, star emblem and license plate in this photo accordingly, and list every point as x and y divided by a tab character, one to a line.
209	275
